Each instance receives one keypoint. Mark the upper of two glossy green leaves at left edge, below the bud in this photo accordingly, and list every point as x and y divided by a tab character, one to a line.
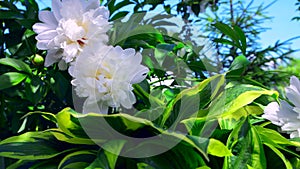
17	64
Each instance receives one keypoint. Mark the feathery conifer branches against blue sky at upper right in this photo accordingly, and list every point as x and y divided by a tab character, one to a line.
235	28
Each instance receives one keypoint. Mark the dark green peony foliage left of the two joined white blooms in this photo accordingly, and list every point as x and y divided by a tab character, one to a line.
26	86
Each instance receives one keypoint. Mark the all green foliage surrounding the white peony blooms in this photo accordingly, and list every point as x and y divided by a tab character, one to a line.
202	119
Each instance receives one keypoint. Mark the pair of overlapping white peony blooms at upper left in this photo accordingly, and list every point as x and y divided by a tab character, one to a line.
74	35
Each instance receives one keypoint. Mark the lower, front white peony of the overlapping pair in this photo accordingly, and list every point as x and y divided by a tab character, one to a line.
105	76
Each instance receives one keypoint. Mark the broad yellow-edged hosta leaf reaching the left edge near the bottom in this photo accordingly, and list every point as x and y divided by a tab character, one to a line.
32	146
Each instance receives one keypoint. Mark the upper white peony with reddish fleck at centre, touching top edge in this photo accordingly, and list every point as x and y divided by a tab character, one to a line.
71	26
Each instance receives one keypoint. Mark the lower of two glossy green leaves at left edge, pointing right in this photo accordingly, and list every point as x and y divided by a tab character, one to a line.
11	79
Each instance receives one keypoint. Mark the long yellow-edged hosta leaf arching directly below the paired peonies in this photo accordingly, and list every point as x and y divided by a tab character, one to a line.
101	128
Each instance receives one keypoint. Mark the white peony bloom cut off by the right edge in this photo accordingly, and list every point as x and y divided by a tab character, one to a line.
285	115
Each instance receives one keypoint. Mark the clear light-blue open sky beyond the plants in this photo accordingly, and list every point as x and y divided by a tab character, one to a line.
281	26
